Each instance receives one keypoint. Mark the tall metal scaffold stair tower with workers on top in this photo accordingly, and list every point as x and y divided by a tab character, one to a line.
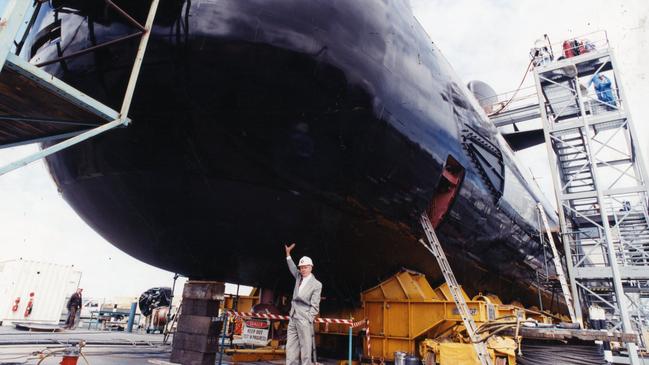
599	179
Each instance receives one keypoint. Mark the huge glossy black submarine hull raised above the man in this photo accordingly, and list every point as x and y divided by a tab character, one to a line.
257	123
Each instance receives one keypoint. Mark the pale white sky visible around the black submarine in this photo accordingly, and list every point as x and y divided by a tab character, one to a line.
483	40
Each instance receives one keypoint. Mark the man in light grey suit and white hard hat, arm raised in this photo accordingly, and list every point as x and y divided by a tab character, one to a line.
304	307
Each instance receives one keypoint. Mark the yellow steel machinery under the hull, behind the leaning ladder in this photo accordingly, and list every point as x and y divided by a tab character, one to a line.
407	315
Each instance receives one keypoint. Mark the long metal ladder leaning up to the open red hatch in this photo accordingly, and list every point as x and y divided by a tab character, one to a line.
435	248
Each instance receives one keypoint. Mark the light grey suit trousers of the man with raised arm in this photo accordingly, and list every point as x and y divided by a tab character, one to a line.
299	342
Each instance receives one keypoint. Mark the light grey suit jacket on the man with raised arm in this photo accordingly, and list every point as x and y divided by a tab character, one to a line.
306	302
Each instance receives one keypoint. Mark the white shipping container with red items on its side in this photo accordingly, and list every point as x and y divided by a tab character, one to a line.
51	285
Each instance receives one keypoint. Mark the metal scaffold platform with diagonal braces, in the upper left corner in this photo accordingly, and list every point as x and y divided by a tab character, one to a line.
69	113
